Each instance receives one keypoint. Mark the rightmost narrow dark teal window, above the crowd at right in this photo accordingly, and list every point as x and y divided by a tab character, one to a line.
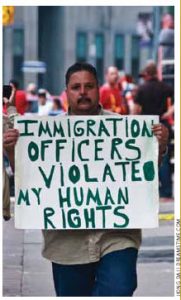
135	52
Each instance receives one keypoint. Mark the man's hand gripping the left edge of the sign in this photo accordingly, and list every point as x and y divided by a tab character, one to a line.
10	138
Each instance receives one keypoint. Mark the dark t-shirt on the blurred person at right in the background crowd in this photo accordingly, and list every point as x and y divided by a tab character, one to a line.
152	96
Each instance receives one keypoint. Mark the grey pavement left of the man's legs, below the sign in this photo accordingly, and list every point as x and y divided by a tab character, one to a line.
25	271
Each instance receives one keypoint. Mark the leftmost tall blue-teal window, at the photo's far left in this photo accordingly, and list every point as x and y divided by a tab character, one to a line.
18	54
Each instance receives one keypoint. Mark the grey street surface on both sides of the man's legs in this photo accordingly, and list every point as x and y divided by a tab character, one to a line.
26	273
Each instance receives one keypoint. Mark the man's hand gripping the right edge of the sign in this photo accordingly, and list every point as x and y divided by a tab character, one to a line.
161	132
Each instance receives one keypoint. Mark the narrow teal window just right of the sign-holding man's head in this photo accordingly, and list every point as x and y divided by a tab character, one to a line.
99	42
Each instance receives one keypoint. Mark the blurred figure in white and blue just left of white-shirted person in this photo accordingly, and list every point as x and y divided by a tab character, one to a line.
32	98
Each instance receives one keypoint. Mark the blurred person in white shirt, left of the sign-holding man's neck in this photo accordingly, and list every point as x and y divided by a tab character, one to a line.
45	103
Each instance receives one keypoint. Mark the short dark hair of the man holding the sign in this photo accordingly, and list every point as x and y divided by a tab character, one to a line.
80	66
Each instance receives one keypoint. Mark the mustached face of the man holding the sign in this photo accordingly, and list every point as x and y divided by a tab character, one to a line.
83	93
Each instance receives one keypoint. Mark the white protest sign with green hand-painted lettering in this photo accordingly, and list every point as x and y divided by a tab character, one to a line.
88	172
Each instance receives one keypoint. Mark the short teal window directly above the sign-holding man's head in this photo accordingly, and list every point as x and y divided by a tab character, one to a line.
81	47
